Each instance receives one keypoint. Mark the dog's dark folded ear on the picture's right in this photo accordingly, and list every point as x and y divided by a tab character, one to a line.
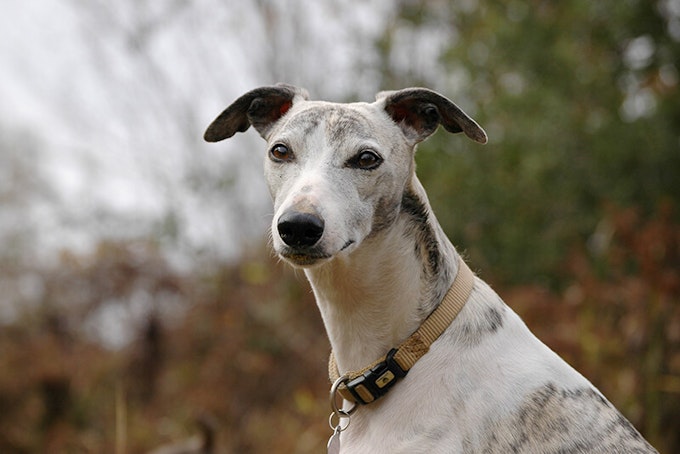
418	111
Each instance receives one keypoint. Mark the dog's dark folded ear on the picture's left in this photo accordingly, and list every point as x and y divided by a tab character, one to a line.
261	107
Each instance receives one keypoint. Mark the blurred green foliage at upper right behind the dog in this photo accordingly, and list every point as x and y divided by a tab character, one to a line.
582	106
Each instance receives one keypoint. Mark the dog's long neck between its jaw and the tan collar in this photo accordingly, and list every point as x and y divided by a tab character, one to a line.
375	297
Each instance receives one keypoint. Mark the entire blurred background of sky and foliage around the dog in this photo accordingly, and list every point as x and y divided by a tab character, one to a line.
139	301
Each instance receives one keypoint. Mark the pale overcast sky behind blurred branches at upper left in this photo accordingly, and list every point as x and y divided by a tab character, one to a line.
110	100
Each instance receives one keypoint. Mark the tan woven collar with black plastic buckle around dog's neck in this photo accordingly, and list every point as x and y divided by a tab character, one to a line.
371	382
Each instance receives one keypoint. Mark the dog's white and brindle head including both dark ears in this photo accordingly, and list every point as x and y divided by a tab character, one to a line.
337	172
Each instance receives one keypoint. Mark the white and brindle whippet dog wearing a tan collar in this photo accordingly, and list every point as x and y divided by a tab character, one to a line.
350	211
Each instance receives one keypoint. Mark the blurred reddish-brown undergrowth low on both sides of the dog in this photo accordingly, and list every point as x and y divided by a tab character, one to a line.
244	344
